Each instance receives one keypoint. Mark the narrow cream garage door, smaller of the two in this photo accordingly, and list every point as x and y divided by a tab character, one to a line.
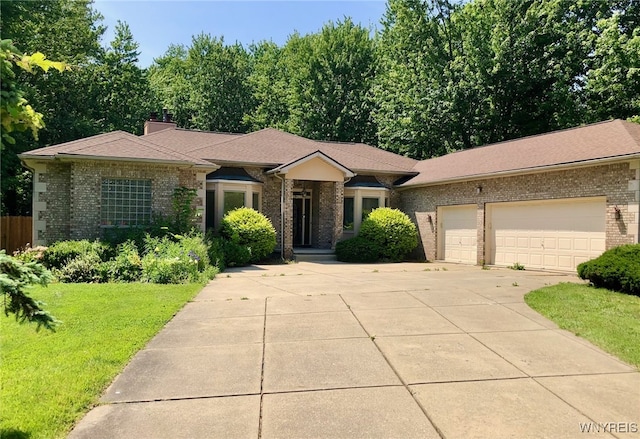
458	232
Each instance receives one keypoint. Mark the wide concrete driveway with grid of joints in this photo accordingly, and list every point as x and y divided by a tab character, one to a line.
368	351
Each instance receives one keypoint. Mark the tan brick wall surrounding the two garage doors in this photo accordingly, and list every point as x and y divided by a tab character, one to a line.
611	181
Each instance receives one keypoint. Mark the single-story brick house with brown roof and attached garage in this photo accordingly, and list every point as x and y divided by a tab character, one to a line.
548	201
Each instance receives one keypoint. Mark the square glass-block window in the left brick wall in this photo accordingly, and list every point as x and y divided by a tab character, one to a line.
125	202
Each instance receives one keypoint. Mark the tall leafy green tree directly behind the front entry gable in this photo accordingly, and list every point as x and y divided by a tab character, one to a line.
331	97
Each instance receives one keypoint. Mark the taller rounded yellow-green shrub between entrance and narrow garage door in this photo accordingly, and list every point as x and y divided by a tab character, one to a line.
392	231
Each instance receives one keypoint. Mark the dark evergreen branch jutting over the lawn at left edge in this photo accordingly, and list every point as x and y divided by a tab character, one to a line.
15	277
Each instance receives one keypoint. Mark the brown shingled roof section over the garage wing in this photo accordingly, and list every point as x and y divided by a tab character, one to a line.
613	139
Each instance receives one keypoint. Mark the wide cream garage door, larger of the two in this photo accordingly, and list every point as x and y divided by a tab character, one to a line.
556	235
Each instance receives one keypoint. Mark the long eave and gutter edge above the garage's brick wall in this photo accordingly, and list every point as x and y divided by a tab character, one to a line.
533	170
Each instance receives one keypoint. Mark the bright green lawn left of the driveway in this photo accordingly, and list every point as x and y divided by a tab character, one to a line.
49	380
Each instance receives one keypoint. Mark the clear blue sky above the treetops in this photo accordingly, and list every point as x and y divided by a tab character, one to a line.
157	24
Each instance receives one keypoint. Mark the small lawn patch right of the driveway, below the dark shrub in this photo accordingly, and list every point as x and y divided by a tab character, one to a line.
606	318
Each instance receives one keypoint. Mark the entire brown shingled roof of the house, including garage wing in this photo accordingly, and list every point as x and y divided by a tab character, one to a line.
615	139
